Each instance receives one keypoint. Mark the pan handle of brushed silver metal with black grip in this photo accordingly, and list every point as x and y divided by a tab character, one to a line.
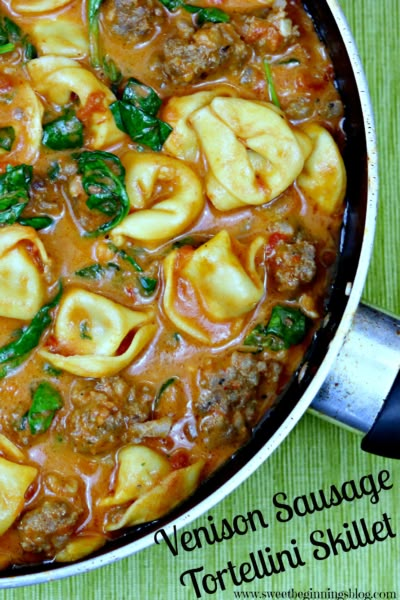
362	391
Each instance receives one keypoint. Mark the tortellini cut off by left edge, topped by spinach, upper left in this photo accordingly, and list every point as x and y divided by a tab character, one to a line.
24	114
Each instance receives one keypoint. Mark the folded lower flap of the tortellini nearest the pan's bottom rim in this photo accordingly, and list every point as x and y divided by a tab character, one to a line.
162	498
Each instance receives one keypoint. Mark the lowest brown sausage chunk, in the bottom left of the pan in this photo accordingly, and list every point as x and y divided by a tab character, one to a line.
48	527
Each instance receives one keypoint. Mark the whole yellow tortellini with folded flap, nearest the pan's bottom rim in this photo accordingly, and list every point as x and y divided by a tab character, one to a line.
146	479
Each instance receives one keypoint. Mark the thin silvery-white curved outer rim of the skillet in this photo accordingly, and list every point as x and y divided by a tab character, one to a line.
355	289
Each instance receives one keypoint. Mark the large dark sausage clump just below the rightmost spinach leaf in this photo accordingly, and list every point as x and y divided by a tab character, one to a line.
227	403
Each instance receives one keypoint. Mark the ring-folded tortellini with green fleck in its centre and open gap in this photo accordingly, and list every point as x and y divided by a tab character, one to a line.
90	329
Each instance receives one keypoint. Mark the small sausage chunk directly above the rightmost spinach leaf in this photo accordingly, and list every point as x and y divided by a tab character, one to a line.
292	264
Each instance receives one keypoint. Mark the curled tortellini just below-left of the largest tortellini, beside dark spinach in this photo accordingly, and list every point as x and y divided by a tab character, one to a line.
159	216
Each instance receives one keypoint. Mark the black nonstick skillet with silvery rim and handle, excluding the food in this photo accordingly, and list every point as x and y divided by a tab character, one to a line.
320	376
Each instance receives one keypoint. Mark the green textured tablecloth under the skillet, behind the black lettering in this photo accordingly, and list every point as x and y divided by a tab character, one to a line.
316	454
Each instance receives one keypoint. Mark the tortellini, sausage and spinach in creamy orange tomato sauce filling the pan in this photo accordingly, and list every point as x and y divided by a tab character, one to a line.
171	194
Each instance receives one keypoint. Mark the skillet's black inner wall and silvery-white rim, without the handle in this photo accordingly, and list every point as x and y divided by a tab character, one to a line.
356	244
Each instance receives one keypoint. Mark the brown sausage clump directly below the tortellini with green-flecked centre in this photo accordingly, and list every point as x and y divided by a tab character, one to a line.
104	410
